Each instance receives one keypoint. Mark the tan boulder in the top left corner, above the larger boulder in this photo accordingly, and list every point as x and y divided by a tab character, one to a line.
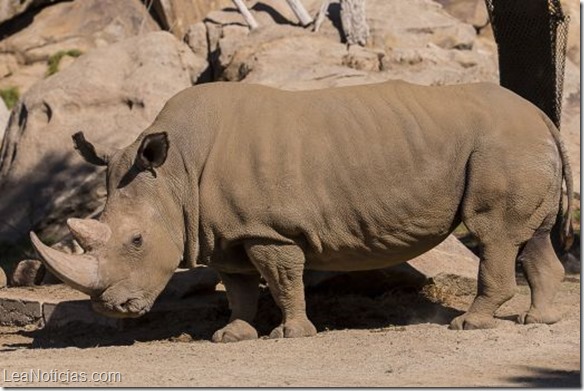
71	27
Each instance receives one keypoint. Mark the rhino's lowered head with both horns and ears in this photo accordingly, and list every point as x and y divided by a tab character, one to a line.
133	249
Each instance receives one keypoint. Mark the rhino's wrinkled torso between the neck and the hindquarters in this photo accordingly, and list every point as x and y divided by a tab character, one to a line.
357	175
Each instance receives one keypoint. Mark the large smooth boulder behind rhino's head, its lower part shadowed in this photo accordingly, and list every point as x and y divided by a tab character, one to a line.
112	94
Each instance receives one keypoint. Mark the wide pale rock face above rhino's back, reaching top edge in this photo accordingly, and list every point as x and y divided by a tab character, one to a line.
419	42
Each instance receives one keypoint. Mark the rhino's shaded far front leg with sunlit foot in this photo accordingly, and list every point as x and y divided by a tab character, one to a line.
242	293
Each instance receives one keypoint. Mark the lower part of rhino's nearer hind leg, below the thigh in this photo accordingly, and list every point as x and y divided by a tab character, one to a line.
496	285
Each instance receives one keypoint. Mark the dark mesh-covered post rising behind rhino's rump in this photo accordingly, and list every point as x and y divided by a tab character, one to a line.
531	38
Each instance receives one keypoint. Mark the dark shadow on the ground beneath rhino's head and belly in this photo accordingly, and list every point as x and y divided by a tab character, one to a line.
328	309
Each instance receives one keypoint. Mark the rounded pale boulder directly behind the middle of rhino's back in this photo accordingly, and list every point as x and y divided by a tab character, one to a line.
291	58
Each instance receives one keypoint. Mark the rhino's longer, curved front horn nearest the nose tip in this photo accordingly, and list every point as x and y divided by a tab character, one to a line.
77	271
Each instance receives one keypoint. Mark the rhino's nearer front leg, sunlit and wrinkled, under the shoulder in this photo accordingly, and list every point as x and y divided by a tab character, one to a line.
282	266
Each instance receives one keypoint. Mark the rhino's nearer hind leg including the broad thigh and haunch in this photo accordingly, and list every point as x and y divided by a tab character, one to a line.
508	198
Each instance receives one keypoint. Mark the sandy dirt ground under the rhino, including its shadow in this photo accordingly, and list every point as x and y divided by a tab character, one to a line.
398	338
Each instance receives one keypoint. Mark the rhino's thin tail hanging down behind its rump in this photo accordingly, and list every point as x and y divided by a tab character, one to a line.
567	231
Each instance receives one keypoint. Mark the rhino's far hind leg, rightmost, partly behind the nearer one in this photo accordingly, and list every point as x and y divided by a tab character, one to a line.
544	274
